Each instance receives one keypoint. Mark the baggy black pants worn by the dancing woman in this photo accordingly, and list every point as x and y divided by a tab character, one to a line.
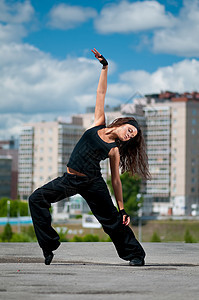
96	193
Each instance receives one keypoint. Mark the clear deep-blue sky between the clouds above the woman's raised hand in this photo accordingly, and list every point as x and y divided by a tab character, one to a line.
129	49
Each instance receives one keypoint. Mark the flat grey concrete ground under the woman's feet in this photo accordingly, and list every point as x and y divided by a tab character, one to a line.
93	271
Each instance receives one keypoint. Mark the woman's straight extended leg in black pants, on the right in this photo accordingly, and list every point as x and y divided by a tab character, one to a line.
100	203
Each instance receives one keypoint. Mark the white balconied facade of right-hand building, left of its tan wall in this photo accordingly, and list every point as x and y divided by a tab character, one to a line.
157	137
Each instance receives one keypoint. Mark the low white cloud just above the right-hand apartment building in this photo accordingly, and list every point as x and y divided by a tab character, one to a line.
180	77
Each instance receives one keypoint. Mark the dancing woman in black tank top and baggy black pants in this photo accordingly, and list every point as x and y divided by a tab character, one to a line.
123	143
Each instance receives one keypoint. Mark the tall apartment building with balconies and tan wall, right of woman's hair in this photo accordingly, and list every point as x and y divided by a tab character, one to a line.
172	138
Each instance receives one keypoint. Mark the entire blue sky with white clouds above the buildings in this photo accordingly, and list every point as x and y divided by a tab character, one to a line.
47	68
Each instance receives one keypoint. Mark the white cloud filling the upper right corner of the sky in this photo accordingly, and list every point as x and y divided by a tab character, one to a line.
183	37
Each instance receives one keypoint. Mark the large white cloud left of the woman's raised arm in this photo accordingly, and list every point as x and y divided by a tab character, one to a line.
32	81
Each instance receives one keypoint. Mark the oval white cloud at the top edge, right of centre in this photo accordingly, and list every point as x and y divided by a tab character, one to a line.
128	17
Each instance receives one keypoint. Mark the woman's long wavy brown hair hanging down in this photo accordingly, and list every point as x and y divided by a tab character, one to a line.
133	156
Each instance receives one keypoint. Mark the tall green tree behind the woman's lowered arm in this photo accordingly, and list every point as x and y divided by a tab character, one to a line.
131	188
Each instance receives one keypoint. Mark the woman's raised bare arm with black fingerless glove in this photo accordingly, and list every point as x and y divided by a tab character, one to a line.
101	90
